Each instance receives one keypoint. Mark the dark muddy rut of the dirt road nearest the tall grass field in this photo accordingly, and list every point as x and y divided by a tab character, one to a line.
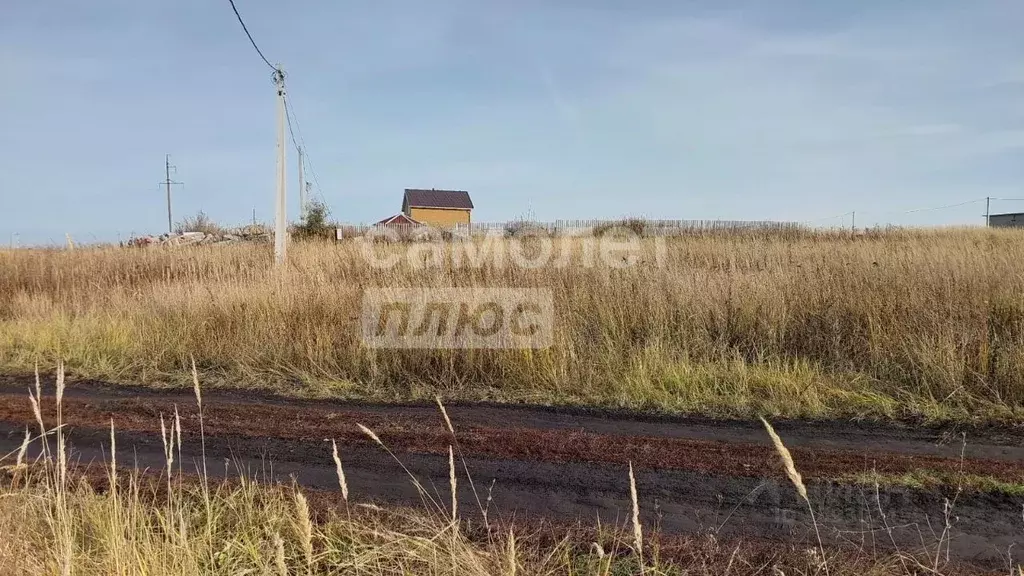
984	441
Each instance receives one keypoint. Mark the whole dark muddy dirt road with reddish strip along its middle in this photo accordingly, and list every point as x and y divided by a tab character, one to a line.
693	475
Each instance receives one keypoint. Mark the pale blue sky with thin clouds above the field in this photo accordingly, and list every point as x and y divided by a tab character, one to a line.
567	109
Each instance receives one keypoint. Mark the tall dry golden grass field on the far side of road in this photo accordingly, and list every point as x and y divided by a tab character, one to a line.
901	323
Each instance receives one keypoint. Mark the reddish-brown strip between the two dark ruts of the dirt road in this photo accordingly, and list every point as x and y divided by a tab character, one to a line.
430	436
